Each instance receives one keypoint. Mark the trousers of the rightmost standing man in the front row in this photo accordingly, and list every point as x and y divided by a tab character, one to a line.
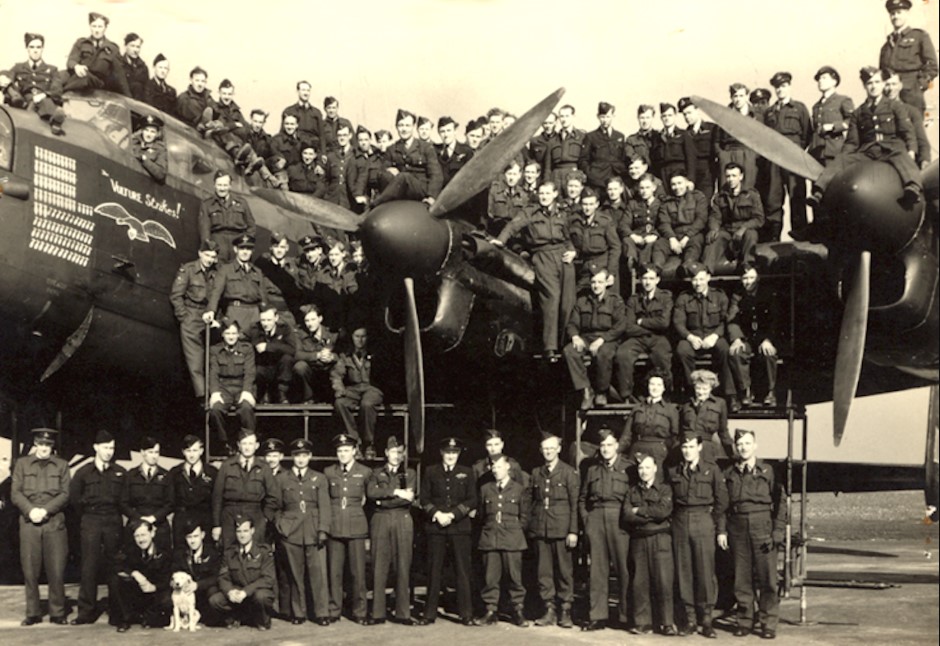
755	567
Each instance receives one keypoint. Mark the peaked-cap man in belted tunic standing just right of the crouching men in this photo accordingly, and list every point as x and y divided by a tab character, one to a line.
303	522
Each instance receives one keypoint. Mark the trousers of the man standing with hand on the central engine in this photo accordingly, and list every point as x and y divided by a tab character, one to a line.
555	288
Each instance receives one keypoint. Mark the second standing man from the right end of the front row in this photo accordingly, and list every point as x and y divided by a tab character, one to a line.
700	507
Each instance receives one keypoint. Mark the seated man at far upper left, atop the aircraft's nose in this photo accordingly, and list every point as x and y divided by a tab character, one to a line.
35	85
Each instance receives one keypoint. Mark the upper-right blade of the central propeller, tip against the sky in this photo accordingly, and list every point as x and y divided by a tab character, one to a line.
488	162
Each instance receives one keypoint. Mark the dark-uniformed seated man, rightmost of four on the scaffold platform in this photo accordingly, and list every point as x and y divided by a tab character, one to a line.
753	330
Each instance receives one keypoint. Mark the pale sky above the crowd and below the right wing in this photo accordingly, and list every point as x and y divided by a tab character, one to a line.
462	57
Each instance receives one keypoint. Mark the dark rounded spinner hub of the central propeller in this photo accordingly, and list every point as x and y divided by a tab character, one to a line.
404	239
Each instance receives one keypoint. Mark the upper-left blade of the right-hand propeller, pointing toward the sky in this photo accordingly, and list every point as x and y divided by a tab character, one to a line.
764	141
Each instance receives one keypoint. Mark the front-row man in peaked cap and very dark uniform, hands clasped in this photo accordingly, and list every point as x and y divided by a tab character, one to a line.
448	495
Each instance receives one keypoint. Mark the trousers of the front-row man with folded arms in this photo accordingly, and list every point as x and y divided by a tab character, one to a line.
651	571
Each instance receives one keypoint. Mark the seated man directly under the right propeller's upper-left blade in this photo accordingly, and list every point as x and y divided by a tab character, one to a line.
736	216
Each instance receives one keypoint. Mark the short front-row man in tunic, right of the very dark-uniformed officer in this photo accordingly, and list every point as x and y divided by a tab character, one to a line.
504	512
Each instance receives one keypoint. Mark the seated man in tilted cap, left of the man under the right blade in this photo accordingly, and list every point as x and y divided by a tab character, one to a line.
682	222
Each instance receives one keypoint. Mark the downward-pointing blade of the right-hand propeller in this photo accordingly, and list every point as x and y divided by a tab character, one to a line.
851	346
